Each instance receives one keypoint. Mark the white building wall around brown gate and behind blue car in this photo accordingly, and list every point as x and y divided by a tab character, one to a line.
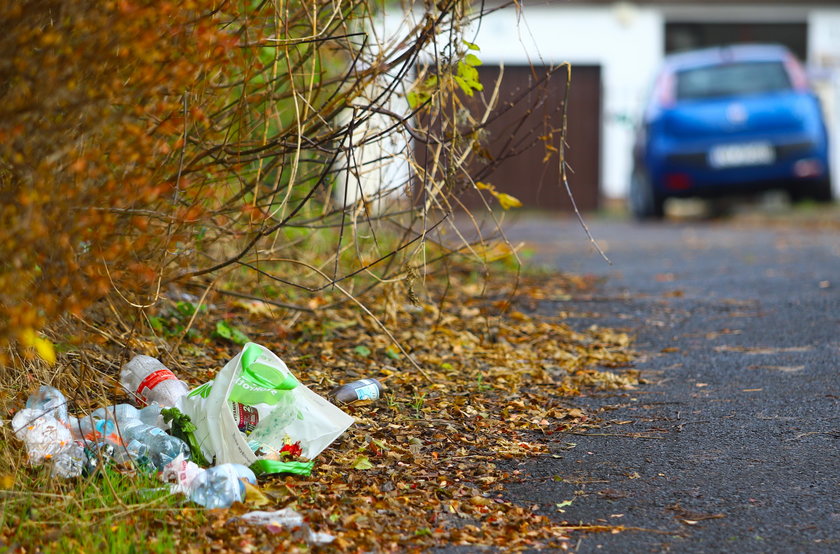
627	41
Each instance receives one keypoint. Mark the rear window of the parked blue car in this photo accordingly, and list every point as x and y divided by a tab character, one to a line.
733	79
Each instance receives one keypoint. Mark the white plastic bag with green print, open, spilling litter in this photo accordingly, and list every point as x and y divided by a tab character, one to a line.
255	404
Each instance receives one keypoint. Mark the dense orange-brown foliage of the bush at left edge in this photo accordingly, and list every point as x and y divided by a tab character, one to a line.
92	120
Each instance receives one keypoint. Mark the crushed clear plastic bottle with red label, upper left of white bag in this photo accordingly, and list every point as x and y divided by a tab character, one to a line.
151	381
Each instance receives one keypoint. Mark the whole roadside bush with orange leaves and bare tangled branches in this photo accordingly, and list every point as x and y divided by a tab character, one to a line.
144	142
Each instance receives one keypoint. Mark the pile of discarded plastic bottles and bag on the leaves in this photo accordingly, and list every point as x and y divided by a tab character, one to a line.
255	418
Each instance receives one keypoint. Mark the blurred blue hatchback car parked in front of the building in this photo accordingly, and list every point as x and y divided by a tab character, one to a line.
730	120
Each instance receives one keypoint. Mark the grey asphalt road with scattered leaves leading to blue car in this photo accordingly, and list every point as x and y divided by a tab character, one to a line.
732	445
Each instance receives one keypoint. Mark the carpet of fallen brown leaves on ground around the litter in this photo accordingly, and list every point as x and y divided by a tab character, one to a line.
421	466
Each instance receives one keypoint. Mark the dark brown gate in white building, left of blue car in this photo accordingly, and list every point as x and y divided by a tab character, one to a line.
526	130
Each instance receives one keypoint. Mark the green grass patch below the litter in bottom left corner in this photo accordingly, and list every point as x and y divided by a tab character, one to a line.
106	512
